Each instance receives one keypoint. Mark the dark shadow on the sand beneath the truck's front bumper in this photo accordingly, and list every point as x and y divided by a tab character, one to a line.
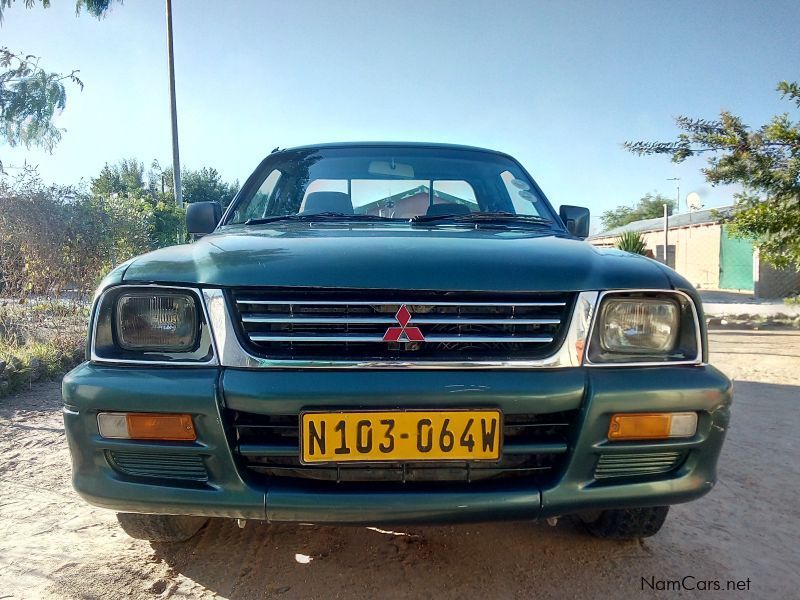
321	561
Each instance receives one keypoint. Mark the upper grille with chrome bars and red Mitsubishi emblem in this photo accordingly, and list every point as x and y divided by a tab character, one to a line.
361	325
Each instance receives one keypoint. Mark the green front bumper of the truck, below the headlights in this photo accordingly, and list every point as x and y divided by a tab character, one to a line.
207	393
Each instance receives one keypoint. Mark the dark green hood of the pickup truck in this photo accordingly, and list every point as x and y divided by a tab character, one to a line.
396	257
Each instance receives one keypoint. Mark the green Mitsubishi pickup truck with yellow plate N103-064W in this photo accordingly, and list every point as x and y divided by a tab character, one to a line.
392	333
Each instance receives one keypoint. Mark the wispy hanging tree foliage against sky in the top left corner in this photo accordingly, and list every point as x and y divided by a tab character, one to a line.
31	96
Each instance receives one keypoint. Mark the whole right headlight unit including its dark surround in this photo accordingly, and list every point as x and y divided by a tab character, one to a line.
640	327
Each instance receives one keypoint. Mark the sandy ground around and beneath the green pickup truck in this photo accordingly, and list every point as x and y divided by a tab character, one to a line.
54	545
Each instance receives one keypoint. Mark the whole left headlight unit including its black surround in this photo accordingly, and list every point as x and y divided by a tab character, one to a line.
136	324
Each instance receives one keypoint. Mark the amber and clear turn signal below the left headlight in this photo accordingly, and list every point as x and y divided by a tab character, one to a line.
146	426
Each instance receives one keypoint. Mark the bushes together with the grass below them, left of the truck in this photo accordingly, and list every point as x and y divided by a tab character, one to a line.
56	243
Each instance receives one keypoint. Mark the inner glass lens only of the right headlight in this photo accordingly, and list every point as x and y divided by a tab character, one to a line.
639	326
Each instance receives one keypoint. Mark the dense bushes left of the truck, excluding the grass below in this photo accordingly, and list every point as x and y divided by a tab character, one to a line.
55	238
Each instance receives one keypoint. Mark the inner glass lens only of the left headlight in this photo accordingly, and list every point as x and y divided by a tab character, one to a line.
148	321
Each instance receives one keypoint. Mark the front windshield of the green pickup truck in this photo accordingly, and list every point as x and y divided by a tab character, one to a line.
387	183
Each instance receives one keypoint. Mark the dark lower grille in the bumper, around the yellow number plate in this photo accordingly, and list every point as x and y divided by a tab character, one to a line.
534	447
